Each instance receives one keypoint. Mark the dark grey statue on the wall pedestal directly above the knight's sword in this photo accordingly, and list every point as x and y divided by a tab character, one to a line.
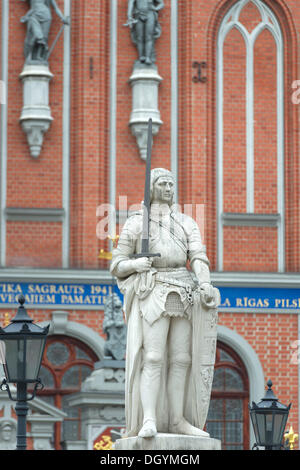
144	26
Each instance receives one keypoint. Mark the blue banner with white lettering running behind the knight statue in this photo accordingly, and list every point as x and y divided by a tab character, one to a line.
93	296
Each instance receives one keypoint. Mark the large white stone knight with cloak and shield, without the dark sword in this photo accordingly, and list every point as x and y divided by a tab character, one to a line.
171	319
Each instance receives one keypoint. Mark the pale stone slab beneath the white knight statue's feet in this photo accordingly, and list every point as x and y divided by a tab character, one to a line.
168	442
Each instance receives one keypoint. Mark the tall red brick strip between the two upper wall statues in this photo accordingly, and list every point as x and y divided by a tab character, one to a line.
89	127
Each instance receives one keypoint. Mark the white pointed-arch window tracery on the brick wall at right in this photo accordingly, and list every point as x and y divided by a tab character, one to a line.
270	22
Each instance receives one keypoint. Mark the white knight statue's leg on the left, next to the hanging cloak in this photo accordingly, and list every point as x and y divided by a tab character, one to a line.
154	345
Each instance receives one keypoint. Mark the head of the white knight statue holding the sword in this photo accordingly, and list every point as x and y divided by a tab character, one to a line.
162	186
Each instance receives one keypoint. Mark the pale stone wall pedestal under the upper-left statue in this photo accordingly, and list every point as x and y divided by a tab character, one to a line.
36	113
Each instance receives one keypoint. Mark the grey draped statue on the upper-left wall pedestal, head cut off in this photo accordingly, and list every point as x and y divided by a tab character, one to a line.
39	19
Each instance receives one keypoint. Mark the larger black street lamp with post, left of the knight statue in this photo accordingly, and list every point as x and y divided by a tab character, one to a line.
22	346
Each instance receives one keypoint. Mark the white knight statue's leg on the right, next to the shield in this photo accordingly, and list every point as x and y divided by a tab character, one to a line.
180	343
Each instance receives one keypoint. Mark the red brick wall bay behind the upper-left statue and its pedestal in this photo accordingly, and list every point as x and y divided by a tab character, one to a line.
33	182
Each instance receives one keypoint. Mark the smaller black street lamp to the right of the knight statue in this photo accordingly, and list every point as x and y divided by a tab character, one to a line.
269	419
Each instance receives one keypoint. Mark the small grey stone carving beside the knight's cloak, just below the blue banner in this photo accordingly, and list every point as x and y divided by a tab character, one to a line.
115	328
